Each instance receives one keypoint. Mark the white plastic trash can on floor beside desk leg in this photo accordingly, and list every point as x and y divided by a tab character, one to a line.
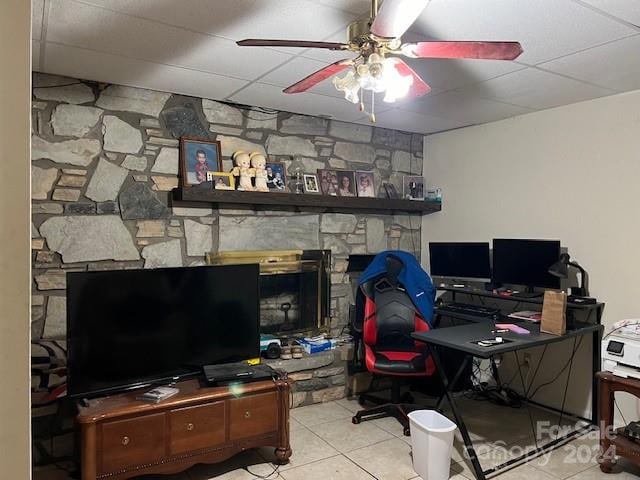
431	444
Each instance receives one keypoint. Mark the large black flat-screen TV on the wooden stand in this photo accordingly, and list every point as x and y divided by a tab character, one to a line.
129	328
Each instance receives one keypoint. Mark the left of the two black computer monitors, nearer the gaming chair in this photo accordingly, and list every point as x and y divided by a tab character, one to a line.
460	260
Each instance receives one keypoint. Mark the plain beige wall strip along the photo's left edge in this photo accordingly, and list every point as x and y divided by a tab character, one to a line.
15	251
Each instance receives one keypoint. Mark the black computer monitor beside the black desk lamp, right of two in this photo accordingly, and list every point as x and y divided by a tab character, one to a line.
525	262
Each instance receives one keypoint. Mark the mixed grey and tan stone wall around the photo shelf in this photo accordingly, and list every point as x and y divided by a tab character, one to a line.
105	159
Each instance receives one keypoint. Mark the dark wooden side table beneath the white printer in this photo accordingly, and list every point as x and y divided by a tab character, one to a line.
612	442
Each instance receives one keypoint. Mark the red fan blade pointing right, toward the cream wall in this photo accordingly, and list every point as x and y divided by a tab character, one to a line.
480	50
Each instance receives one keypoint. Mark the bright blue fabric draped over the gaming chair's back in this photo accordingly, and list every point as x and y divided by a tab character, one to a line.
412	277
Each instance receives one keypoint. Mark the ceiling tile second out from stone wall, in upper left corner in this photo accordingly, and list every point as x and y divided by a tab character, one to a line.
119	34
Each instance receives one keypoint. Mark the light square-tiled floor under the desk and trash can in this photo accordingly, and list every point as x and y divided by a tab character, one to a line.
327	446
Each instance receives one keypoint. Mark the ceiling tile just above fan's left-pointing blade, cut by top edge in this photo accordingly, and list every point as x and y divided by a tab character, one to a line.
238	19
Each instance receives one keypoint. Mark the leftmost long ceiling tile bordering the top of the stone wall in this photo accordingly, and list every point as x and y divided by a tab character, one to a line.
103	67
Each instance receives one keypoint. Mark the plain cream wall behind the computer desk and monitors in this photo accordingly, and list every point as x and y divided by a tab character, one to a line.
570	173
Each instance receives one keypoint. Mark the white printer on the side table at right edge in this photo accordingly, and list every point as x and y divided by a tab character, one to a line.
621	349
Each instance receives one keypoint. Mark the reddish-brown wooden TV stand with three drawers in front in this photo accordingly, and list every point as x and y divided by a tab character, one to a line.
121	437
